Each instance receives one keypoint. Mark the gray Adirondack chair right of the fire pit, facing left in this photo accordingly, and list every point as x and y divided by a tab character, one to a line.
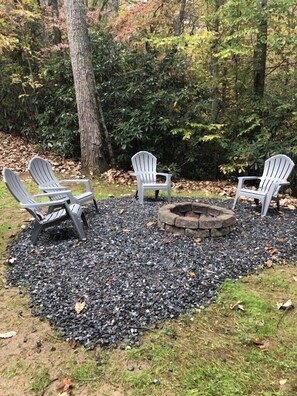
277	169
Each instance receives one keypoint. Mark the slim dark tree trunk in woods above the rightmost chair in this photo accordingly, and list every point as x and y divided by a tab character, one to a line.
260	50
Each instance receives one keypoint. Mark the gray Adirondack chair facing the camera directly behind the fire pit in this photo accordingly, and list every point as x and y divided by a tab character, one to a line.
144	167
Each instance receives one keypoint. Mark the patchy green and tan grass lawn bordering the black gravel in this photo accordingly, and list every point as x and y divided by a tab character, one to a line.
241	345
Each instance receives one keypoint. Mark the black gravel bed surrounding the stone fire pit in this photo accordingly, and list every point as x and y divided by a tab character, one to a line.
131	275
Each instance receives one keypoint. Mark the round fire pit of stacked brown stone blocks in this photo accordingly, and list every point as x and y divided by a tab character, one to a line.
196	219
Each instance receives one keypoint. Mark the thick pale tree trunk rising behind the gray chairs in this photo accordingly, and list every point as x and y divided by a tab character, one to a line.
92	157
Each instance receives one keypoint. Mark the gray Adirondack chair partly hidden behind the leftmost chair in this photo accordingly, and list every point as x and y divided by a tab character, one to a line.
42	173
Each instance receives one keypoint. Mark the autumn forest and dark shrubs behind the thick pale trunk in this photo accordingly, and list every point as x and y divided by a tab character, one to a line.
208	86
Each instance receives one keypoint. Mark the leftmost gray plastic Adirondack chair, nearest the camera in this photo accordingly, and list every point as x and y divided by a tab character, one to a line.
61	210
